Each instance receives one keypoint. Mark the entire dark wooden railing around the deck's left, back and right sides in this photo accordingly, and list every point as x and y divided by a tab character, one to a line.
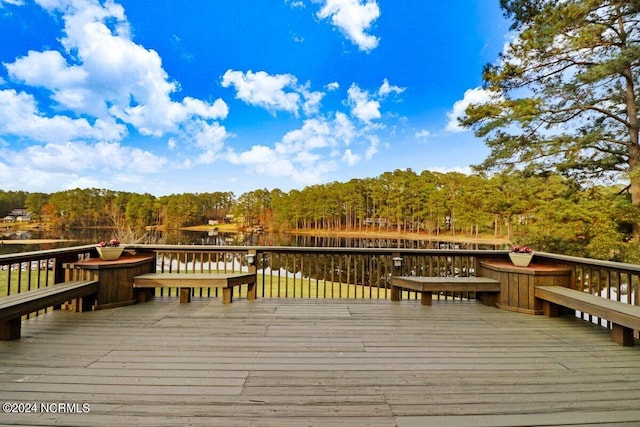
303	272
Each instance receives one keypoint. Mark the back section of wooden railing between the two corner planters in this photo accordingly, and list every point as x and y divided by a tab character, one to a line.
300	272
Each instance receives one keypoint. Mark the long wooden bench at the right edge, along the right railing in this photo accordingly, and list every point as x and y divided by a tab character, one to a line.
624	317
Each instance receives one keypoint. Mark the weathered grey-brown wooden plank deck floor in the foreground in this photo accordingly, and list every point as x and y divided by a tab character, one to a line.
318	363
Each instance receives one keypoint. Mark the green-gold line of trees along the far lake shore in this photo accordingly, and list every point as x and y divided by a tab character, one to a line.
546	211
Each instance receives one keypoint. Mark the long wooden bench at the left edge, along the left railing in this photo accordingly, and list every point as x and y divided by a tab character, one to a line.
13	307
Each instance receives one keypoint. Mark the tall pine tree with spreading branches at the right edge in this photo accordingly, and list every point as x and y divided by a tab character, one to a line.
565	91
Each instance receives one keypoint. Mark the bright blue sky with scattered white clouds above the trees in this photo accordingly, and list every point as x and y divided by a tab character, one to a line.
236	95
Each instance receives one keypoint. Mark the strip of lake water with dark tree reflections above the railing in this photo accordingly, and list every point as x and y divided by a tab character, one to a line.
75	237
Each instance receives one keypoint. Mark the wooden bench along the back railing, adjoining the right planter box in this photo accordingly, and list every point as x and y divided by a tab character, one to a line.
486	289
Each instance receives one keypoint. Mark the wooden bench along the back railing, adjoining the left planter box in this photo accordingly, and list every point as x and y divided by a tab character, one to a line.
187	281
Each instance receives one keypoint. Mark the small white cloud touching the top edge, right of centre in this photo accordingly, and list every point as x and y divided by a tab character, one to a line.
353	18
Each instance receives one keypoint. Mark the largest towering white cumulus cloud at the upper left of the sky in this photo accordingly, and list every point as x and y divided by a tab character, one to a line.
102	75
